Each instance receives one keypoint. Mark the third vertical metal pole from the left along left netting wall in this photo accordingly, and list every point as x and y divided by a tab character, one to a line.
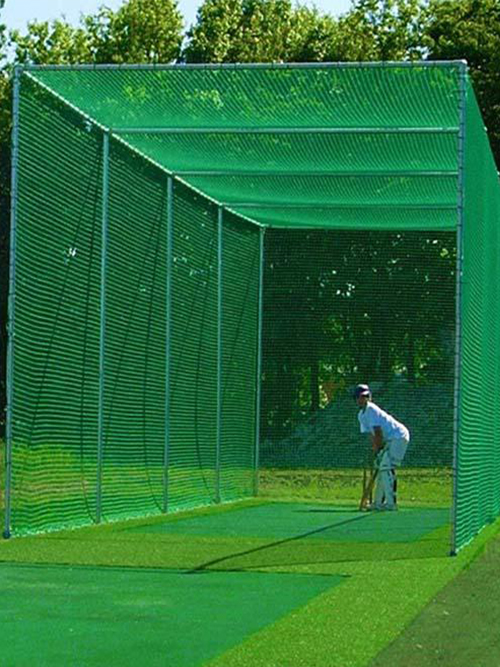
168	335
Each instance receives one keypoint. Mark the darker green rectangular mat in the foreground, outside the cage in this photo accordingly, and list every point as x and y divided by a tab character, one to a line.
57	617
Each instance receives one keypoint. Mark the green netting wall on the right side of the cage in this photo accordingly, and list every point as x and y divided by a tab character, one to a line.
478	477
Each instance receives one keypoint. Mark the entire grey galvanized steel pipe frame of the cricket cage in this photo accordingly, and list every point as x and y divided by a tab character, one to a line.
115	132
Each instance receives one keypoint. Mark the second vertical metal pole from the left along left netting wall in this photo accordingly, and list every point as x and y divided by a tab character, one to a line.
102	334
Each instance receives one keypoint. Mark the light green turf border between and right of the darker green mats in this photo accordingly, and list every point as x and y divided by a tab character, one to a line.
344	629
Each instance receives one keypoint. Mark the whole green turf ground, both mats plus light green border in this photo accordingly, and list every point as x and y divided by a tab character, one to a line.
256	584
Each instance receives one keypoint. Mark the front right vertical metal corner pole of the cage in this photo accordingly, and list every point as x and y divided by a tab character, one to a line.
458	297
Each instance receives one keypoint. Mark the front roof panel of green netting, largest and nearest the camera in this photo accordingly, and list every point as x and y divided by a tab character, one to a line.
420	96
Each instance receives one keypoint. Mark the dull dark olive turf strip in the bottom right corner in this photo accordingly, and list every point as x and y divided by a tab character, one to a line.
460	626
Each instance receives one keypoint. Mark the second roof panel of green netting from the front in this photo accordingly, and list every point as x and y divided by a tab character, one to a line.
302	153
